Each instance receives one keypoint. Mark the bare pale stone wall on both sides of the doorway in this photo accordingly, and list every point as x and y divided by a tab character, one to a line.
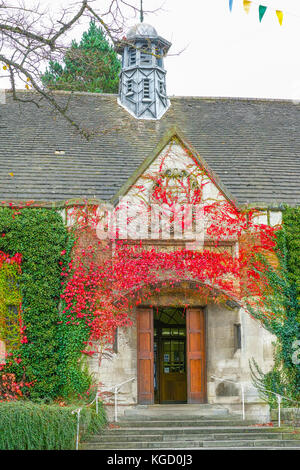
223	359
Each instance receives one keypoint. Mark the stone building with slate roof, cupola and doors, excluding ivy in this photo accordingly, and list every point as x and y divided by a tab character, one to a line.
250	151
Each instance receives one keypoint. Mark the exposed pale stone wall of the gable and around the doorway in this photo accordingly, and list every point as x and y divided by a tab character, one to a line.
224	360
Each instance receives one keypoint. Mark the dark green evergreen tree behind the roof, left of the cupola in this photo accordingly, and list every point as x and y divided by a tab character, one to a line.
92	66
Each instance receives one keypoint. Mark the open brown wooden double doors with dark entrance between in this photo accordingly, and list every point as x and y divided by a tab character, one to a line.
171	368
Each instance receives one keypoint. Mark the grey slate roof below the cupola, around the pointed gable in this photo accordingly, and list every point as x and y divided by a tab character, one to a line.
252	145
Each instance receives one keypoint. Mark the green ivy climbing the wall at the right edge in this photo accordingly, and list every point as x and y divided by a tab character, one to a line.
284	378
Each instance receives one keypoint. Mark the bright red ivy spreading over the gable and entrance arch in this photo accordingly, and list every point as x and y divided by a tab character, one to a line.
108	278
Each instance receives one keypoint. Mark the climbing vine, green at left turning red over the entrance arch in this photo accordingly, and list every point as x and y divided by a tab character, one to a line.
75	287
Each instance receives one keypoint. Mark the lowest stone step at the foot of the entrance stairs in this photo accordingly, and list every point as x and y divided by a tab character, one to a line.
233	444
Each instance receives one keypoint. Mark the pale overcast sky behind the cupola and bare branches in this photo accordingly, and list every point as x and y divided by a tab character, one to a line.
227	54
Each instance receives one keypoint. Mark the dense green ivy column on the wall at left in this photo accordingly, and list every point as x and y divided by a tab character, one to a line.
40	236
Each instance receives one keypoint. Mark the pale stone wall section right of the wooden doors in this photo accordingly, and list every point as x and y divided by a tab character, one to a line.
227	363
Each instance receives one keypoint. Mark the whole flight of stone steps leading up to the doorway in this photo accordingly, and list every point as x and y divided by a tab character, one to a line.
189	427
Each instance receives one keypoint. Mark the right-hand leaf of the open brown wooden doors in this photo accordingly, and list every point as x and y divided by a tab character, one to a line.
195	324
